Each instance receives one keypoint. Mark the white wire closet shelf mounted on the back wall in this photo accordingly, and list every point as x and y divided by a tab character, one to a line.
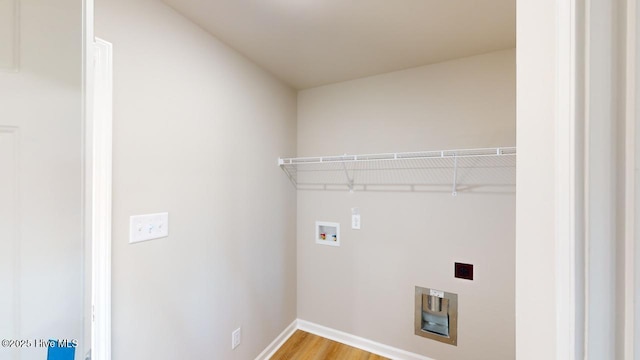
472	170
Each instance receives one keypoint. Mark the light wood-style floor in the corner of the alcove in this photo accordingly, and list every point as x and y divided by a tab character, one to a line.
304	346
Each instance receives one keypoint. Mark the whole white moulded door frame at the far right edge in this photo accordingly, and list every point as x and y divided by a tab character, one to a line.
596	56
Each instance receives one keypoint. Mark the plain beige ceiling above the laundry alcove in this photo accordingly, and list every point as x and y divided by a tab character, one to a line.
307	43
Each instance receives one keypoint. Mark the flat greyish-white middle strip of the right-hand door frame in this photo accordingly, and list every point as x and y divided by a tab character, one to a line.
602	89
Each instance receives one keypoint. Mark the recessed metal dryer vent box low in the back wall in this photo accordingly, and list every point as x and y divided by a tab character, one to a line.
436	315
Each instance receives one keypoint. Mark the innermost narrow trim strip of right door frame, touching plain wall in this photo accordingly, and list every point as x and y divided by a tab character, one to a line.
569	194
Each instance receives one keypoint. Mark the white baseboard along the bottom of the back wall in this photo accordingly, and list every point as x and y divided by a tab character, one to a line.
358	342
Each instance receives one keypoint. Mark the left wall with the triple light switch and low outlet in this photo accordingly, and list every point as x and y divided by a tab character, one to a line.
197	132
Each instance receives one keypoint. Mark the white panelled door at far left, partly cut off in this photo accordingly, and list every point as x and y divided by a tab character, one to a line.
41	252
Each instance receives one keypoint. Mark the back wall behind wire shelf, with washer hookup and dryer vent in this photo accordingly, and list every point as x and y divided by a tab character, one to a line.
366	286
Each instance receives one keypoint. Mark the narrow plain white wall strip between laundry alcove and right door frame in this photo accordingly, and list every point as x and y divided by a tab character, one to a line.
536	174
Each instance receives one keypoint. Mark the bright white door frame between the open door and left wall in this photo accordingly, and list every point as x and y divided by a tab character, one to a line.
97	177
